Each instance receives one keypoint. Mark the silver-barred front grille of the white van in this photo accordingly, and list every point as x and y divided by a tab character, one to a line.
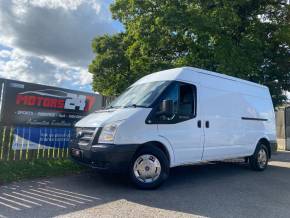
85	136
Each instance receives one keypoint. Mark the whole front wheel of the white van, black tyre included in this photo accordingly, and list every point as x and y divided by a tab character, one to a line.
149	167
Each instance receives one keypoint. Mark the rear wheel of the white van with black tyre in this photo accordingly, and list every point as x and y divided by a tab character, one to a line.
259	160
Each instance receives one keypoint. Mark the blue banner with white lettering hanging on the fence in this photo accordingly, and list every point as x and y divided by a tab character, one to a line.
27	138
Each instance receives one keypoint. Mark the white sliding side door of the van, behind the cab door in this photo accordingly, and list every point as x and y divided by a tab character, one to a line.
224	137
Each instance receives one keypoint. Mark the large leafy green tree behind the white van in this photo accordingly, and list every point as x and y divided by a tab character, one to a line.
249	39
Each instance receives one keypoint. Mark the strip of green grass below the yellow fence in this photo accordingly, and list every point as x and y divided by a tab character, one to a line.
11	171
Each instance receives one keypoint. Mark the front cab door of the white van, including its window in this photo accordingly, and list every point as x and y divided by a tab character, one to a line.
183	130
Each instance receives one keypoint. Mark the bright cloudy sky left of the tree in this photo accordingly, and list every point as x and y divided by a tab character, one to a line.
49	41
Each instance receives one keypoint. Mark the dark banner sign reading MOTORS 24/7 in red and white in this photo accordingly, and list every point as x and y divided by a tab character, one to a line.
39	105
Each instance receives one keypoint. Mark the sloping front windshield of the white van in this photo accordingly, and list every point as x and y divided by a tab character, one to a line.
142	95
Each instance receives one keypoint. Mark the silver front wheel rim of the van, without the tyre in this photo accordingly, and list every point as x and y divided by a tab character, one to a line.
147	168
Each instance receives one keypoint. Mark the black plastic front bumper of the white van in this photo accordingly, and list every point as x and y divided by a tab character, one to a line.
109	157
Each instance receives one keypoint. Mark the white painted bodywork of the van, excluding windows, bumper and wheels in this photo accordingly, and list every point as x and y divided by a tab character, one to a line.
234	115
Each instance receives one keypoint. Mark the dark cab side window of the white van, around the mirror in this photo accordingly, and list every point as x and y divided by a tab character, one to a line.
183	96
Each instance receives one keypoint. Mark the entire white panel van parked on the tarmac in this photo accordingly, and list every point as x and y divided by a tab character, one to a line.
178	117
